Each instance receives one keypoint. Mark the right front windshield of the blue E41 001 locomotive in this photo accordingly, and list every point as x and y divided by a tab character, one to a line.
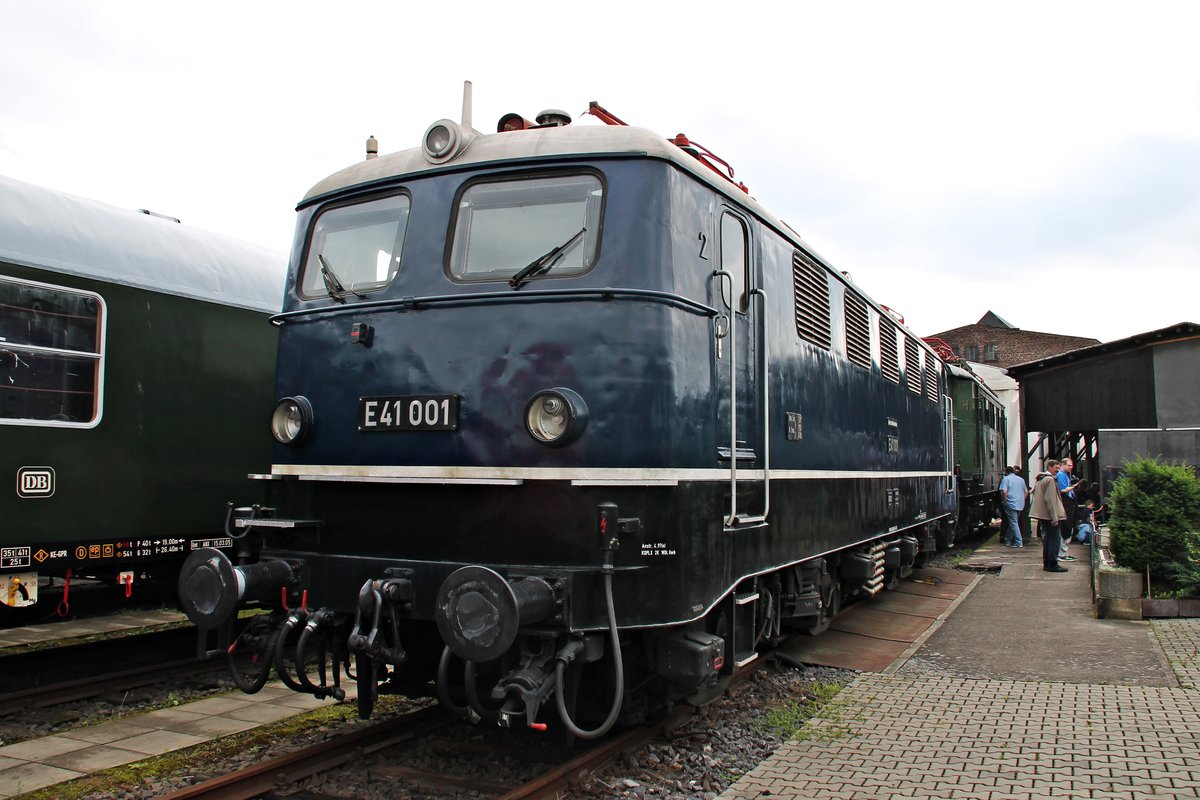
503	228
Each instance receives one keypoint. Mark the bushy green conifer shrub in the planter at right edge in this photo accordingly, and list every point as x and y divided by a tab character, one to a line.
1155	515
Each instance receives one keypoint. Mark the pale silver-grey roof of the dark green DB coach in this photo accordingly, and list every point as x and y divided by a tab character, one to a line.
49	230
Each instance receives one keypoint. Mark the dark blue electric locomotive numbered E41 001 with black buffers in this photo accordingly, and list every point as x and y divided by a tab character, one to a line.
568	418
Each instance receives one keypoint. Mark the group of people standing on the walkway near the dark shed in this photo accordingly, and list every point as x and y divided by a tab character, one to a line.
1054	504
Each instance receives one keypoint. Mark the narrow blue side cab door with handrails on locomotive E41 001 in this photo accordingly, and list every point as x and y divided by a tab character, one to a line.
741	375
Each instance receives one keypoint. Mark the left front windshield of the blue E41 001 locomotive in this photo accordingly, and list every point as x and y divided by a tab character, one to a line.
356	249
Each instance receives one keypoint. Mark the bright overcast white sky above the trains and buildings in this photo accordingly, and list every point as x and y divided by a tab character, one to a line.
1040	160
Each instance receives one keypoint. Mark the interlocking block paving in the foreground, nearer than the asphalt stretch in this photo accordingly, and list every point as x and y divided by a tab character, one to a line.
927	737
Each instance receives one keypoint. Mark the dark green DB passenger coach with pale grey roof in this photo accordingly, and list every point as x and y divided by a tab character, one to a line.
135	359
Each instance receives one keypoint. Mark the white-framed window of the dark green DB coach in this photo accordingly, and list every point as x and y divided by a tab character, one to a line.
51	356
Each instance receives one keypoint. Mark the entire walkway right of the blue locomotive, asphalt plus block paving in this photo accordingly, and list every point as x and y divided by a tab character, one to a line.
1021	695
